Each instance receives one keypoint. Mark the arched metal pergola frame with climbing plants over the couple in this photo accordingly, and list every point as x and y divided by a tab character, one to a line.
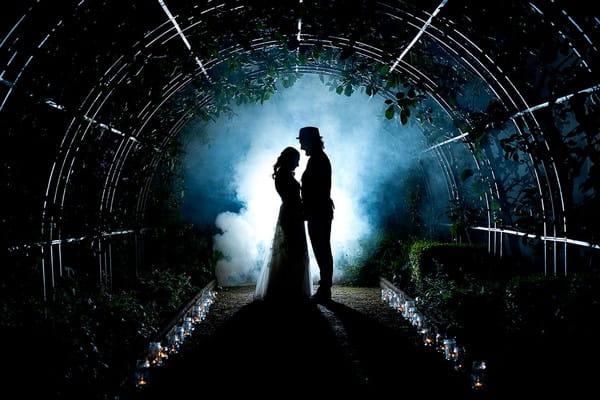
109	124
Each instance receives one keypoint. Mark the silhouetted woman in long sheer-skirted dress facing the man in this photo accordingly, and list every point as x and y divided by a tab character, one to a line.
286	273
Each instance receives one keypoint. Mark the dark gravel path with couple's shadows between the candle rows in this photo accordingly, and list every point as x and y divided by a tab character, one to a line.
356	345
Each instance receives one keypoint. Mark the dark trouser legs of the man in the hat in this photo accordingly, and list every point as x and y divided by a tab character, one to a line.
320	238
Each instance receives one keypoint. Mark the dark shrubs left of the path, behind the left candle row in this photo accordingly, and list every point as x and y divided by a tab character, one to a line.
90	335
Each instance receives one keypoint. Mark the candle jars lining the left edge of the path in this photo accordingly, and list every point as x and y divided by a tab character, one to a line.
158	351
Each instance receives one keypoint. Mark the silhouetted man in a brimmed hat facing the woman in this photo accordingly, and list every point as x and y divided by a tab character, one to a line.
318	206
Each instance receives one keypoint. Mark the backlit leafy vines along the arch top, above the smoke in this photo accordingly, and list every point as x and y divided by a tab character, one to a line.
356	74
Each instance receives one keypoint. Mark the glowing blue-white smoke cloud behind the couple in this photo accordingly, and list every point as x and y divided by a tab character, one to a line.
229	167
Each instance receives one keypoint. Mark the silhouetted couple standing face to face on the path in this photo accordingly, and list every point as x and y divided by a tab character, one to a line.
286	274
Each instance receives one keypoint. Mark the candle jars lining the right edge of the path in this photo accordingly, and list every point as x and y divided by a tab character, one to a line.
445	345
